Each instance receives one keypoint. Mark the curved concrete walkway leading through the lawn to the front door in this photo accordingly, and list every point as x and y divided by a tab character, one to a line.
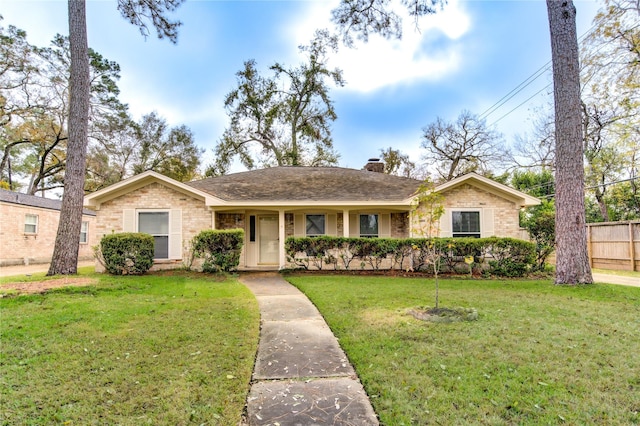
301	376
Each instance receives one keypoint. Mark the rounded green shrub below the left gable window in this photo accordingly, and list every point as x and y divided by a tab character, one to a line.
127	253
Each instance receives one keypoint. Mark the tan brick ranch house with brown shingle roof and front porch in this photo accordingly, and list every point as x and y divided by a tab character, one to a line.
275	203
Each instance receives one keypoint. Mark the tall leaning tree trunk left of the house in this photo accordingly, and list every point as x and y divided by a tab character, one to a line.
65	252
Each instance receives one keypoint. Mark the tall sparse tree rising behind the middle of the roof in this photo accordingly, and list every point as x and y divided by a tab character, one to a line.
282	119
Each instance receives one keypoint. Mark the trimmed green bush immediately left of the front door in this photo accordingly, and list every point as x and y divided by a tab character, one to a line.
220	249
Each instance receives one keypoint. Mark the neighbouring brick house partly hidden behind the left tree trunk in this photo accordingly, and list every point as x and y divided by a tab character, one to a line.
28	227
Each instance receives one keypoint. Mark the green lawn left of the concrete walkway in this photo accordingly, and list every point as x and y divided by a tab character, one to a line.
157	349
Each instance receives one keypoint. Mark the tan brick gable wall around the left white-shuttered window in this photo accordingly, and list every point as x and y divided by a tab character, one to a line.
195	216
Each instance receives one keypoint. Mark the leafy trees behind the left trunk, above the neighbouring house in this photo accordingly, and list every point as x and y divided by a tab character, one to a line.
34	88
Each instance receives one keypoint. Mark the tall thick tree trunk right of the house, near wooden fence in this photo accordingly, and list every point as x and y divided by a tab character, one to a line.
572	260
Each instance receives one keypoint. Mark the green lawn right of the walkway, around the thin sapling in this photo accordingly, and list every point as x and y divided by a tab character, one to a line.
539	354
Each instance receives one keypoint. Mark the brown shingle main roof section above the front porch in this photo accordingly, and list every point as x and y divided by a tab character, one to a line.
308	184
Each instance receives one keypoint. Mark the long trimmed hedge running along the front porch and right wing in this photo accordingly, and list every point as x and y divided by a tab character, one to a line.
506	256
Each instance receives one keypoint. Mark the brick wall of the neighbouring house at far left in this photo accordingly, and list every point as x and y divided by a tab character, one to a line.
19	248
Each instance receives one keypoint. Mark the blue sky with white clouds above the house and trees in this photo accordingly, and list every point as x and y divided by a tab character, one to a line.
468	56
